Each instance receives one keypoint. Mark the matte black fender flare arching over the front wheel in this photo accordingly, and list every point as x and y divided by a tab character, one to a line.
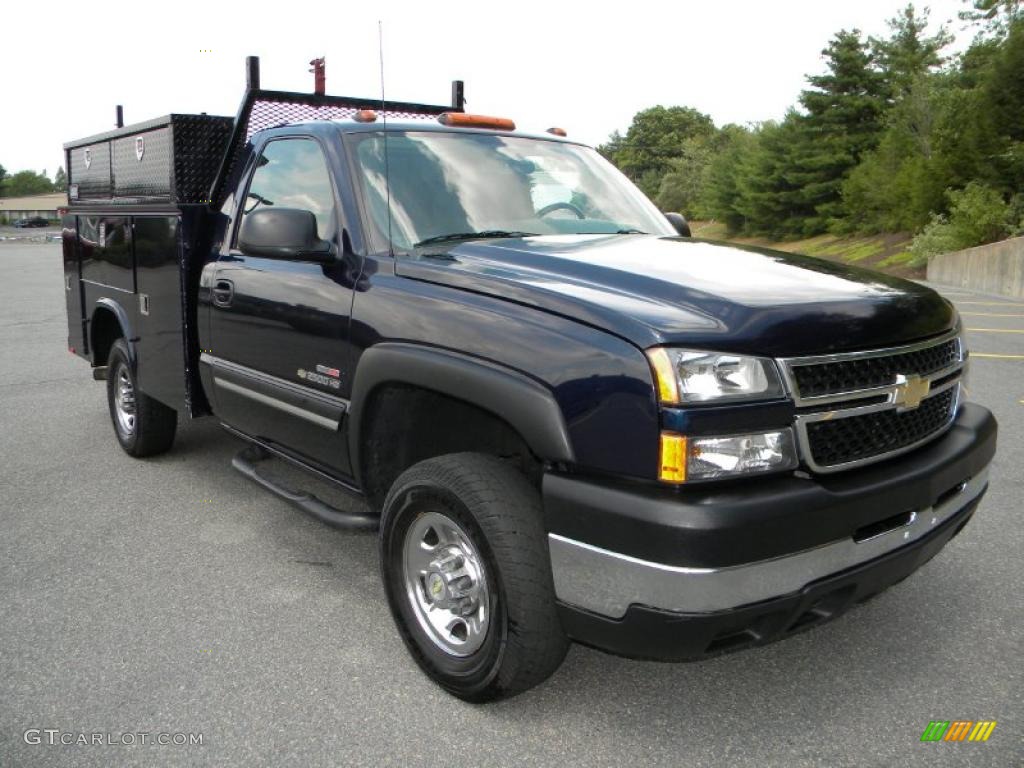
525	404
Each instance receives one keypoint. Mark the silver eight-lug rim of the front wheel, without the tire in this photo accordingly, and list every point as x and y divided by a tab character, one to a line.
446	584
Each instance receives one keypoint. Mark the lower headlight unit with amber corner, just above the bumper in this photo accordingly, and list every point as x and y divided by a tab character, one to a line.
689	459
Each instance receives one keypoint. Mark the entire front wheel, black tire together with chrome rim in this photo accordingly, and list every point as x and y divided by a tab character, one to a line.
468	577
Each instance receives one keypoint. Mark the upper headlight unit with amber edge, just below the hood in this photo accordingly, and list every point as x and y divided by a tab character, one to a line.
688	376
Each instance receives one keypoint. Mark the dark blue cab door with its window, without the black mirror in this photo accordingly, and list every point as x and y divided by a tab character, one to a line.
279	329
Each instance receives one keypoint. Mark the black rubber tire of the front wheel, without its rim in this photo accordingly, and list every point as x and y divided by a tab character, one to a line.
500	514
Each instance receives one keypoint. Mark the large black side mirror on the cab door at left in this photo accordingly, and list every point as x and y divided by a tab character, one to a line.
287	234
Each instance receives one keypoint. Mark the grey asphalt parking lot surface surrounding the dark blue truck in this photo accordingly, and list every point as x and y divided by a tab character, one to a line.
174	596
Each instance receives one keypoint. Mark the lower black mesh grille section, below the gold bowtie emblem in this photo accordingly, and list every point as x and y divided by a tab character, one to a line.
854	439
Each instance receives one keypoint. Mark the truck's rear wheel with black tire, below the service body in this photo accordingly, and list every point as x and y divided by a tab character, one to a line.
151	430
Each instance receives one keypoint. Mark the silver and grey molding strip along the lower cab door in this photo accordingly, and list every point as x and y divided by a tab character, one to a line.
318	408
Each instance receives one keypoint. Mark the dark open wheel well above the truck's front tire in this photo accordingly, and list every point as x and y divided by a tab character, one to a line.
407	424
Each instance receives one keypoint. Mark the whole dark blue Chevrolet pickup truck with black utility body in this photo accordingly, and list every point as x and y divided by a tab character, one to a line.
568	419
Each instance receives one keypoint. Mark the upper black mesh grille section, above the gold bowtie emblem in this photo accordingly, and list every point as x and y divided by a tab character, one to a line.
822	379
